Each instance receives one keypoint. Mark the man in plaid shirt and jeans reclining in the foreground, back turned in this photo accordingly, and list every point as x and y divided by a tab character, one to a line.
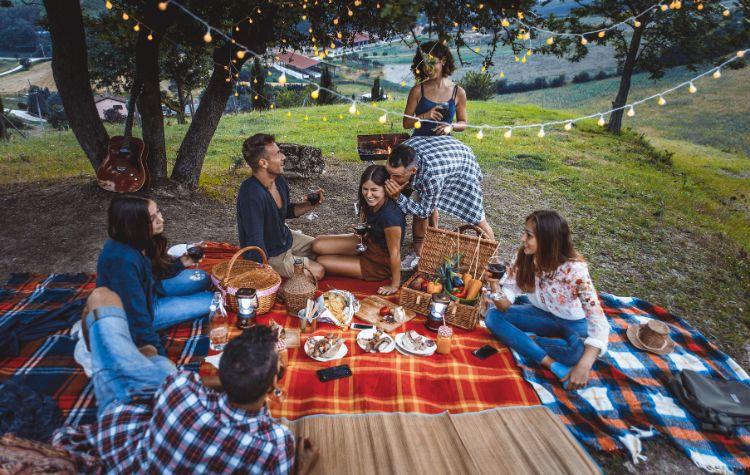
155	420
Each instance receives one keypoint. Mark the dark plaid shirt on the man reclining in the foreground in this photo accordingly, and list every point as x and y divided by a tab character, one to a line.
189	429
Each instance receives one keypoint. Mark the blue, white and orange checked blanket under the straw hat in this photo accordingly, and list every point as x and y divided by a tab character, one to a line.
627	395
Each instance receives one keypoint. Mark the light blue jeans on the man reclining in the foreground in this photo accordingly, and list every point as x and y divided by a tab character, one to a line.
120	372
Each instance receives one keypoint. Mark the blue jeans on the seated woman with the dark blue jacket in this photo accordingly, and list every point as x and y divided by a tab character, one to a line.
182	299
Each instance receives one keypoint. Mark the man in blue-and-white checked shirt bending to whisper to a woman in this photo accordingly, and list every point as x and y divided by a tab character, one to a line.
446	175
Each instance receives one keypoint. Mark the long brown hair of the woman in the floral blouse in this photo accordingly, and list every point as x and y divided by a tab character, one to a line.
553	247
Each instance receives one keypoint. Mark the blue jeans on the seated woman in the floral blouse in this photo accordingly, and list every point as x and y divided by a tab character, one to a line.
558	338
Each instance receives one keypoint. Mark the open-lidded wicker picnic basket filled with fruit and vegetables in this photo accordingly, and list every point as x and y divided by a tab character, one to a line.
475	253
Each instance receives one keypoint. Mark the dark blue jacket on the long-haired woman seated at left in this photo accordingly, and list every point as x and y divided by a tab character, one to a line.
127	272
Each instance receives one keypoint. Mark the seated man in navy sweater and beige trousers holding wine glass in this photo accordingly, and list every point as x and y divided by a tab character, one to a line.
263	205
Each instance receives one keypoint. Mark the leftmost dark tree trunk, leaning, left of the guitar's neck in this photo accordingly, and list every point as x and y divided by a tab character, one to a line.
71	74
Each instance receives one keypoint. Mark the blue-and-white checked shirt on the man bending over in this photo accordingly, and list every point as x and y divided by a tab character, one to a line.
448	178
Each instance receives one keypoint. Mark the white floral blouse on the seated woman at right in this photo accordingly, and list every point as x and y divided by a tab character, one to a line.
567	293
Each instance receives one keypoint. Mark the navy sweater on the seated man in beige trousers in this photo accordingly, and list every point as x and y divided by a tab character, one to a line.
260	222
